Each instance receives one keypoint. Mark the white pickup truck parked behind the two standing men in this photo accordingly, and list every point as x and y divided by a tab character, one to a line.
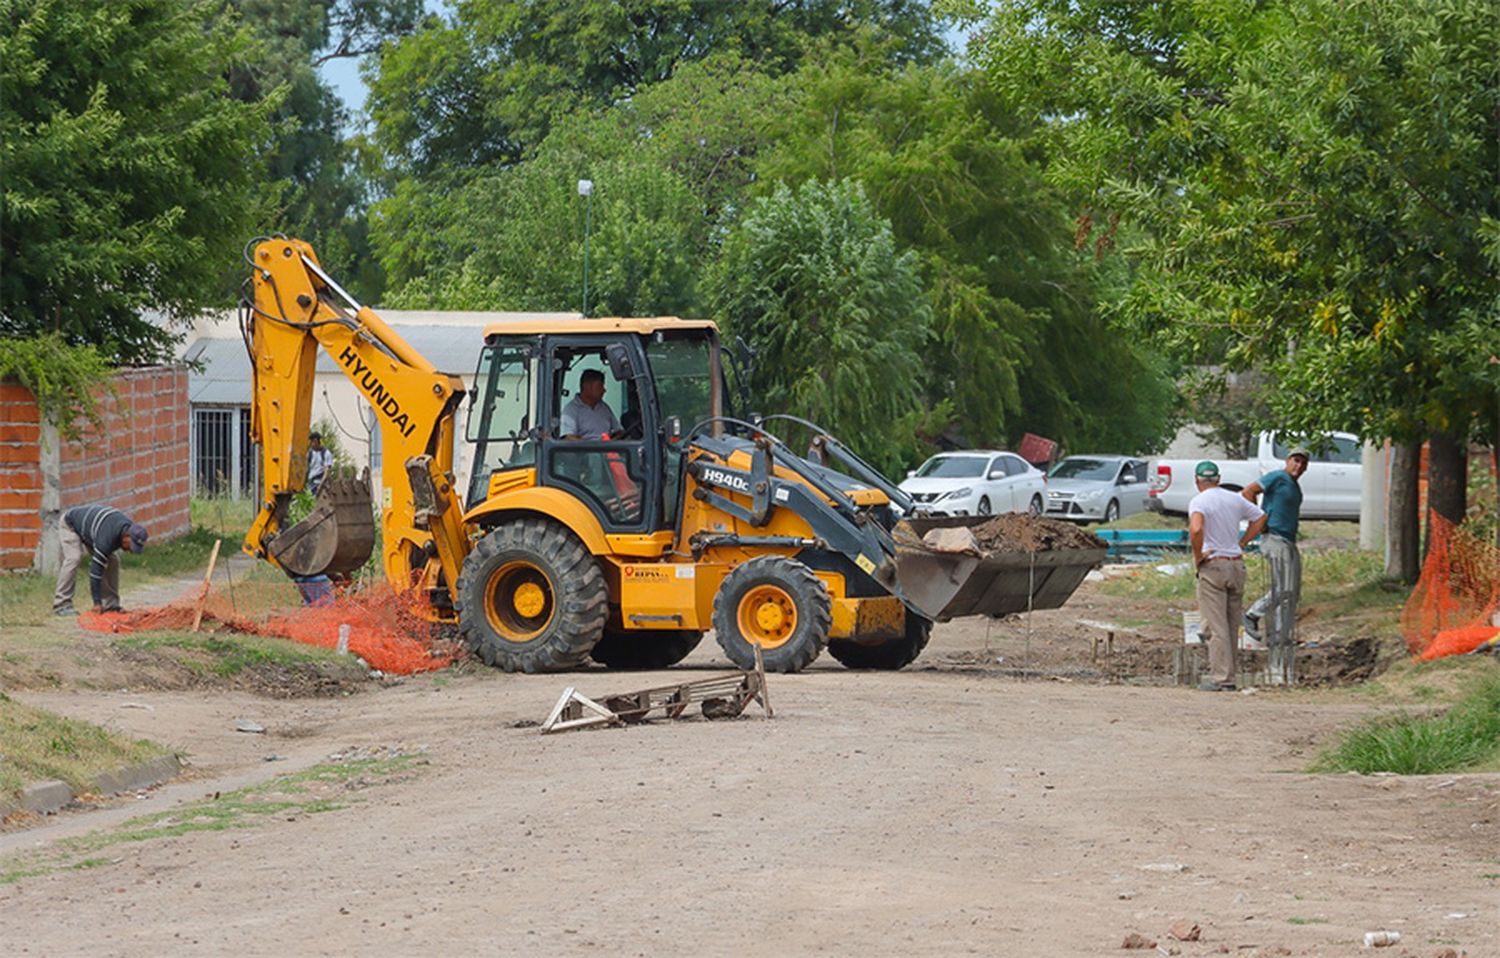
1330	486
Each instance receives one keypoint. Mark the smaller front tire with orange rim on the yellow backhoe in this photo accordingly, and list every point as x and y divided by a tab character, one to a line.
779	605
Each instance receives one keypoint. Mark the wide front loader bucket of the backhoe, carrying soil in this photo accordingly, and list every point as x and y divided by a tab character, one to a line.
952	579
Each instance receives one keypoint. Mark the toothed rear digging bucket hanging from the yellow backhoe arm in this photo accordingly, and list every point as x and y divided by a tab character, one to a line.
338	537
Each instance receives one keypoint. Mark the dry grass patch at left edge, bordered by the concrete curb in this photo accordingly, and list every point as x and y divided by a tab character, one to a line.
40	746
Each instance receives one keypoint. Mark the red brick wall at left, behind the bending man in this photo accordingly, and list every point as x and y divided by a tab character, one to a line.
137	463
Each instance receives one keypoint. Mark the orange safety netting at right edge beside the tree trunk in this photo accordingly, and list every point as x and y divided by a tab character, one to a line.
1453	609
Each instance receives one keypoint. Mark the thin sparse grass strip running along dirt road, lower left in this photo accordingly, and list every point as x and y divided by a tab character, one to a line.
320	789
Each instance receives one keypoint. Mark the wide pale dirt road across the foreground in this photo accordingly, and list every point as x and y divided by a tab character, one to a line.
916	813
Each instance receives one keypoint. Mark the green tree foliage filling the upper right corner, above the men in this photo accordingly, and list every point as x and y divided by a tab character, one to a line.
1309	187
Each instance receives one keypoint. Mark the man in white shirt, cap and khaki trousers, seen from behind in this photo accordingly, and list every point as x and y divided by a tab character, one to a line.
1219	555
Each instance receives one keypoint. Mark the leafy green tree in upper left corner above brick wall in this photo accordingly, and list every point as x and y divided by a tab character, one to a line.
131	178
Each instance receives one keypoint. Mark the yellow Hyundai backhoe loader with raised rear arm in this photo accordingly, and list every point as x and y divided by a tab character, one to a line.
623	545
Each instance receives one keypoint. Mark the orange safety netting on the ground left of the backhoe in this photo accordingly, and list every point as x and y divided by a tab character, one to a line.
385	629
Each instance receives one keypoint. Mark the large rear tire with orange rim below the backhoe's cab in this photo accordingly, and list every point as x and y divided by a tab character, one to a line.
532	599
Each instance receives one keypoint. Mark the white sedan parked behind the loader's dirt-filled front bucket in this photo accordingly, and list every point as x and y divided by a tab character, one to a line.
976	483
